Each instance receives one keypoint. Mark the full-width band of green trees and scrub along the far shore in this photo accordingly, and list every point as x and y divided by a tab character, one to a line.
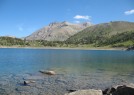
125	39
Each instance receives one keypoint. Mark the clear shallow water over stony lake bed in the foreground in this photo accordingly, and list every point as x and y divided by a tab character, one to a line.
58	84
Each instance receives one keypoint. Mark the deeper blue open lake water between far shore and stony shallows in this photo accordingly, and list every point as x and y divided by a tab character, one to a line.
21	61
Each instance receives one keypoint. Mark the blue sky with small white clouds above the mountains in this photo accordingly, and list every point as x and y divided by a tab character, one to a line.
22	17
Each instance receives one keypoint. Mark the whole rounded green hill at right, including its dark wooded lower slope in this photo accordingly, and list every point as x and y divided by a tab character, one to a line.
112	33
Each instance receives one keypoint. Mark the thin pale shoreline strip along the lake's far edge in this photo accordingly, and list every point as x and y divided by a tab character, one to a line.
66	48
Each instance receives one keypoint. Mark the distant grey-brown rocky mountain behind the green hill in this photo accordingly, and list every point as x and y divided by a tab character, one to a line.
57	31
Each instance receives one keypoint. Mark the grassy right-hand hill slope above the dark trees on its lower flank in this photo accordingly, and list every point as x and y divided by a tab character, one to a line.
100	33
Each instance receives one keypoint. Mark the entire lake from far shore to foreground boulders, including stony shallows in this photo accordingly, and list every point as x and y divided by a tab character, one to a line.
75	70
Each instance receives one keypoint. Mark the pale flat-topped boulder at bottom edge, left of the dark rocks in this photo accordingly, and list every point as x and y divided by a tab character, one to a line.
86	92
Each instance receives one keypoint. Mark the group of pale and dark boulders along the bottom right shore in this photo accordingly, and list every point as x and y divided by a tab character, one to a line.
116	90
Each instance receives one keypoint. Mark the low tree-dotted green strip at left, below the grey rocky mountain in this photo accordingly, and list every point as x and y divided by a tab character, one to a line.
16	42
